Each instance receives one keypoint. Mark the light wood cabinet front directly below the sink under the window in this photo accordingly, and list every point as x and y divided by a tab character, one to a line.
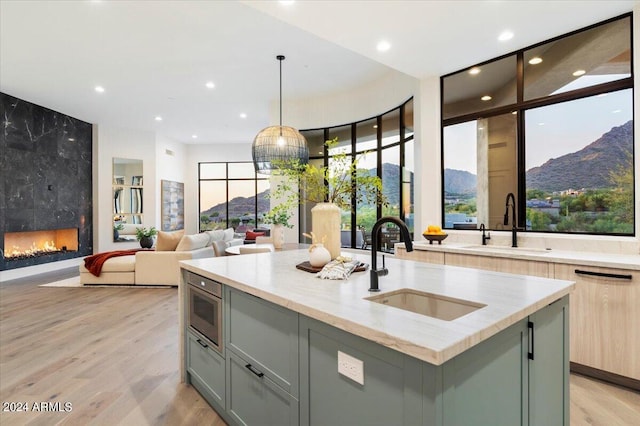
499	264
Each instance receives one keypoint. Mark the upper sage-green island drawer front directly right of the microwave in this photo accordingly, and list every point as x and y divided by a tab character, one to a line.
266	335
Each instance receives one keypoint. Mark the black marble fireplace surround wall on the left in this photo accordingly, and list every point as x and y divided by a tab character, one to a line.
45	176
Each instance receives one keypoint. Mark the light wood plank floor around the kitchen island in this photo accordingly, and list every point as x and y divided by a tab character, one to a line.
113	354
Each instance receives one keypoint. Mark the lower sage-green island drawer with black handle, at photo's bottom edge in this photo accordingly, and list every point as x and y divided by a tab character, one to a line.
253	399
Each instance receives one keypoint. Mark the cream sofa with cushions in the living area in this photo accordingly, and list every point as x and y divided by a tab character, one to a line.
160	266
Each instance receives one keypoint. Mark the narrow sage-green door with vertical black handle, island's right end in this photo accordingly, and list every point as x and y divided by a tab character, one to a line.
549	368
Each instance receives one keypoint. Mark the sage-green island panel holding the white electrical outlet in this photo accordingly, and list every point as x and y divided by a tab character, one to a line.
389	395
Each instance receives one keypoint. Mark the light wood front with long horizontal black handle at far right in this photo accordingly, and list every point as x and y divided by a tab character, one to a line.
604	319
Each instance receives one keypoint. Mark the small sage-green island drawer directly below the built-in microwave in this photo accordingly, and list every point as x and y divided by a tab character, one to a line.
207	366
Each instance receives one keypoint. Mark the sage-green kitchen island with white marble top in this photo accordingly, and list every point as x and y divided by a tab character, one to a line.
300	350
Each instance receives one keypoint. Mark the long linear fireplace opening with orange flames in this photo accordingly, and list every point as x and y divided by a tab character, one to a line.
34	244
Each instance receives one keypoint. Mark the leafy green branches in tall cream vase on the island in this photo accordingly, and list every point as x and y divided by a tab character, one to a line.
331	189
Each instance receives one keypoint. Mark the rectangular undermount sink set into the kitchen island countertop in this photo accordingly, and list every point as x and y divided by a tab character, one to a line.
432	305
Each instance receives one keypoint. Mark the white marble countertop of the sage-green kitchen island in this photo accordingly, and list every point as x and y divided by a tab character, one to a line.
274	277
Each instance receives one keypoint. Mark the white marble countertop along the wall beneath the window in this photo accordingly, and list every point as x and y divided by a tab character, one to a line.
586	258
